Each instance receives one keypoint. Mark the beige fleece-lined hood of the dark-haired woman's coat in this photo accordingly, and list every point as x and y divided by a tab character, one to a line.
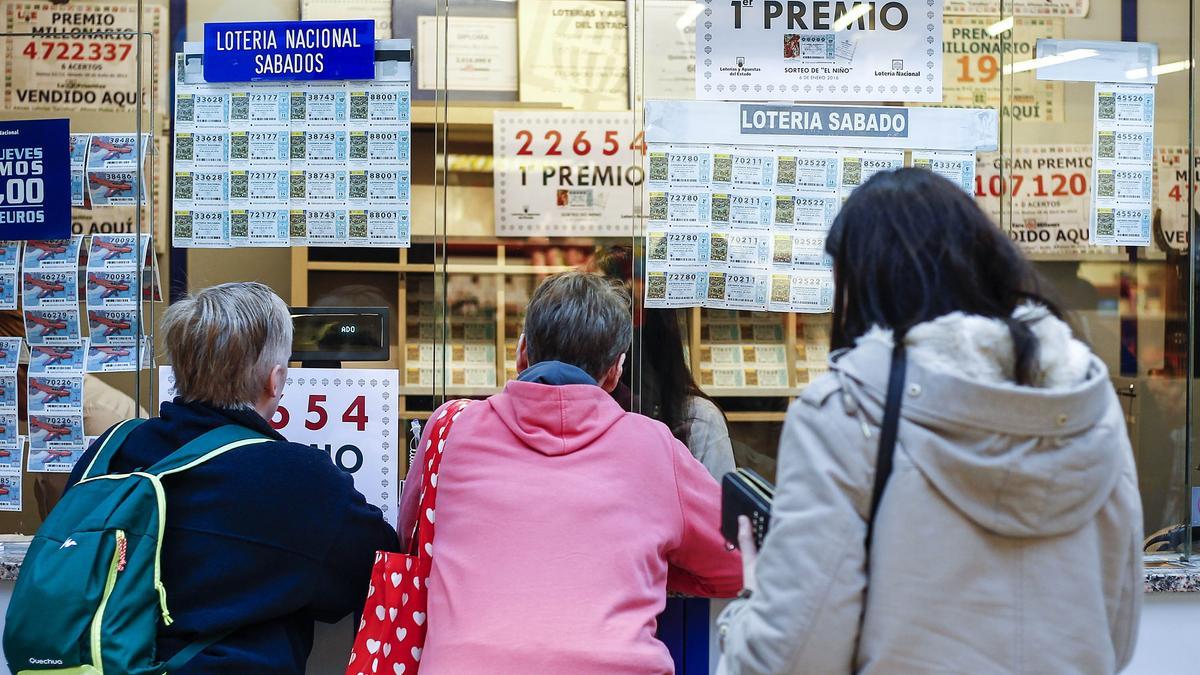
1030	461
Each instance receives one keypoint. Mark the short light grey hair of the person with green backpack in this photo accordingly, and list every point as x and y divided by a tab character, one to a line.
225	341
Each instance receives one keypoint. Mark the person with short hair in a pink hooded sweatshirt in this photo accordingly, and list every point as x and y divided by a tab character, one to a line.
563	521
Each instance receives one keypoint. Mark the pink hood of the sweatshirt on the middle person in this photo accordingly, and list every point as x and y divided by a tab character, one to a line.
556	420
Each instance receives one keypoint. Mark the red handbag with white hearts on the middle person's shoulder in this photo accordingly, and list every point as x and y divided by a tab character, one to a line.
394	620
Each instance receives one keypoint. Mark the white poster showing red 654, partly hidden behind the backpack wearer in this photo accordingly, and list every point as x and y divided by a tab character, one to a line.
349	414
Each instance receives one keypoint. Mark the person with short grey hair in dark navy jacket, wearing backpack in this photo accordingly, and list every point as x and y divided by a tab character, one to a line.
265	540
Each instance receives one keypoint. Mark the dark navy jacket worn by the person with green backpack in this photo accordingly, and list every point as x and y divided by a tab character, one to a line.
263	540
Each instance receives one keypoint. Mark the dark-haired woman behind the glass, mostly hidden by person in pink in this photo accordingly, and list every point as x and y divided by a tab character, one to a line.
668	392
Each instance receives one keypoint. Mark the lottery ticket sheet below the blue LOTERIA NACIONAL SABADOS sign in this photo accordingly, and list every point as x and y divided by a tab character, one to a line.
293	164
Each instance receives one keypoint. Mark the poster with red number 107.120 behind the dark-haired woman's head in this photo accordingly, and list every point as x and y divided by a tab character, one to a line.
1046	196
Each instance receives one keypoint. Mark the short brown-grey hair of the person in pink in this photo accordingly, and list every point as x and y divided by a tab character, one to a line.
580	319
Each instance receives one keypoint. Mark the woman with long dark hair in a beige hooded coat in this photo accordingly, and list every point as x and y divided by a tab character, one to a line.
1006	536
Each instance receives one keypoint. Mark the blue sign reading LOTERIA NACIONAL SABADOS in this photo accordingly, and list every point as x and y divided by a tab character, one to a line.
289	51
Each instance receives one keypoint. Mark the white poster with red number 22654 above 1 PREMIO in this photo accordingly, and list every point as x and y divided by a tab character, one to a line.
566	175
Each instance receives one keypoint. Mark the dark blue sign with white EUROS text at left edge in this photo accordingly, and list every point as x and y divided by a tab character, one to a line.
35	180
